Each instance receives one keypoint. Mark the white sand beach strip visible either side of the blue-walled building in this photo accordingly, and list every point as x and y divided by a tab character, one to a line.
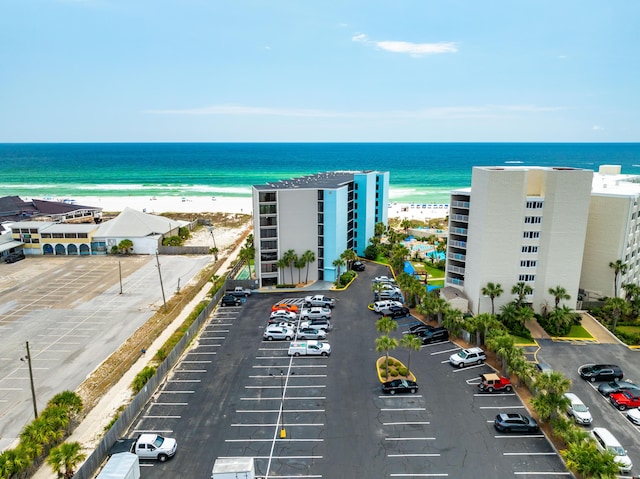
223	204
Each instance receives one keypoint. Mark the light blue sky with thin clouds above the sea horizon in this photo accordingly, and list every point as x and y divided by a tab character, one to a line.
316	71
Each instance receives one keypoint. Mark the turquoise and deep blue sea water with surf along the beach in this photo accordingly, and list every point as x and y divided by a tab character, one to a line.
420	172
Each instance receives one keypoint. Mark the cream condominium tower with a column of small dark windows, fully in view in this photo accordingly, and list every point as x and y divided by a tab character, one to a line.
518	224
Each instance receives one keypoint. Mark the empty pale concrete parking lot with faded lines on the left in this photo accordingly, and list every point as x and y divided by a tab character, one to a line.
73	315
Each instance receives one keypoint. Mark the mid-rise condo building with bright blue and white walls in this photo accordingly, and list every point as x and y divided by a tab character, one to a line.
326	214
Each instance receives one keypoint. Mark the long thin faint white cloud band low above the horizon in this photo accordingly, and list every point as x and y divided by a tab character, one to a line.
455	112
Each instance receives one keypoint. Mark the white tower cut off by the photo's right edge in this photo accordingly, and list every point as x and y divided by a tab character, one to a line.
613	233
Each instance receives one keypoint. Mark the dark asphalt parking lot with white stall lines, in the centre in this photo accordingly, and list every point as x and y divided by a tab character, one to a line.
225	399
